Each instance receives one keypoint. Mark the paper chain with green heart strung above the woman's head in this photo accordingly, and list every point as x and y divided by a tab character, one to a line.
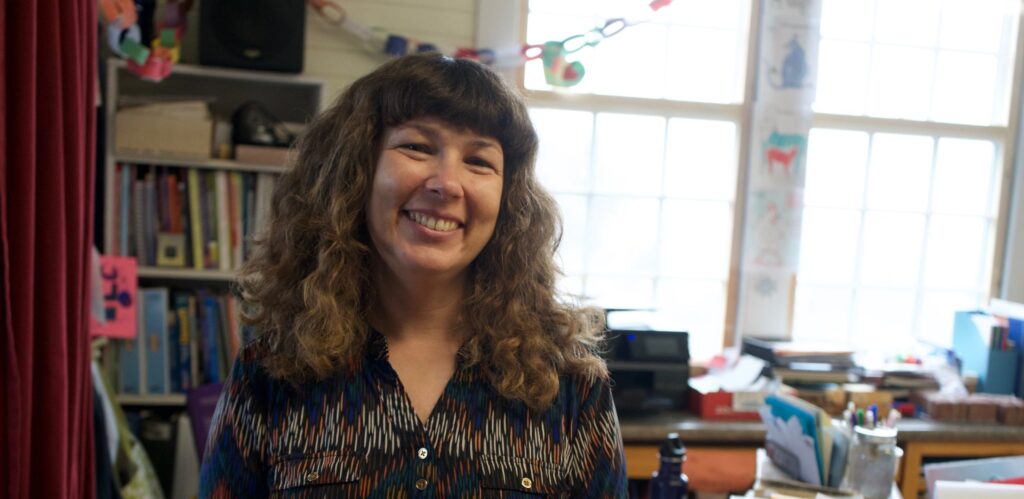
559	71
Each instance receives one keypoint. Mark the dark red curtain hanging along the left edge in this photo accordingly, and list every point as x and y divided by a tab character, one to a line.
48	145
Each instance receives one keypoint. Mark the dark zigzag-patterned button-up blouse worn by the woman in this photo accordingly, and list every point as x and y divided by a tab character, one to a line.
358	436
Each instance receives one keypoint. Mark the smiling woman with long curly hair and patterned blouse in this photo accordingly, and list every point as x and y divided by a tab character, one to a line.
411	338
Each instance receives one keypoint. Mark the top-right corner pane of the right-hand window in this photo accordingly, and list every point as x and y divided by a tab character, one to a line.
974	25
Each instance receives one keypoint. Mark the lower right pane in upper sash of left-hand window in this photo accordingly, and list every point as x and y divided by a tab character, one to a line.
714	52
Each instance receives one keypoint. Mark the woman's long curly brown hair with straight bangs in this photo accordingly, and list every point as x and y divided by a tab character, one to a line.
311	282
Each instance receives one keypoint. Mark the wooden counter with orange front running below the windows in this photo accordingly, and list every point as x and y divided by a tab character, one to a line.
721	456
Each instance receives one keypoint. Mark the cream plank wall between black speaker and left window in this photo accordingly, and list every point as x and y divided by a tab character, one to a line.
337	59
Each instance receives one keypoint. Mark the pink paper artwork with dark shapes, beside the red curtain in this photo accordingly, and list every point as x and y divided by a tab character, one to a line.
119	277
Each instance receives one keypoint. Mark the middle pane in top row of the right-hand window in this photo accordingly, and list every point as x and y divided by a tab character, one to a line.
908	22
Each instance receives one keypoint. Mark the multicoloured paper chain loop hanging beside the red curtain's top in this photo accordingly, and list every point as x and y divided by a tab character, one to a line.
152	63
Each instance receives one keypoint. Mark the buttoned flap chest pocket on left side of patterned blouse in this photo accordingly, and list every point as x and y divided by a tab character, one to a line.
326	469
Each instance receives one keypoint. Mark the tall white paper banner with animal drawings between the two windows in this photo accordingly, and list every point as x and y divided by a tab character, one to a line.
787	82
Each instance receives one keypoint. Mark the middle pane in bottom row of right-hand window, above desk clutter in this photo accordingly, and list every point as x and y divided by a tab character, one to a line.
884	320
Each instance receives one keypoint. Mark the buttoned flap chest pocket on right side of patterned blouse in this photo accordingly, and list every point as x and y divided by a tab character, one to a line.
510	477
